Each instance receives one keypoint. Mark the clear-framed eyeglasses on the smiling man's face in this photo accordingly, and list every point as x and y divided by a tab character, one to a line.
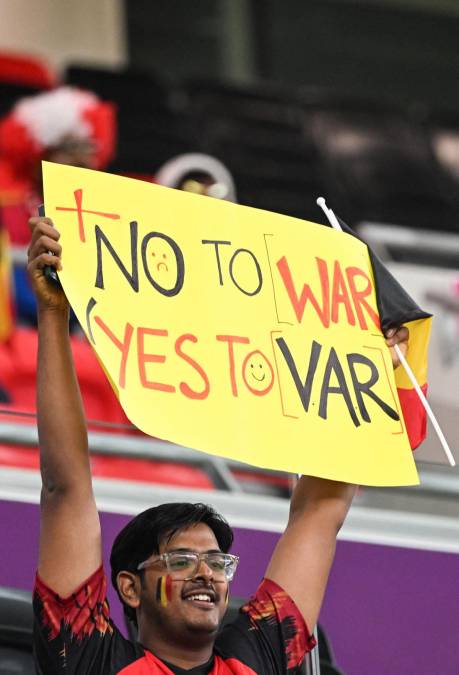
223	565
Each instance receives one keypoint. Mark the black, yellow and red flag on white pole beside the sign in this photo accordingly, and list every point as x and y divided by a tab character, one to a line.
397	308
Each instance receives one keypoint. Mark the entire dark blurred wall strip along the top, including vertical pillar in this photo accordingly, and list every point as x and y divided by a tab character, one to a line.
402	52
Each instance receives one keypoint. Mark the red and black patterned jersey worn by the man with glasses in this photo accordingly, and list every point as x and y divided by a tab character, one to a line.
75	635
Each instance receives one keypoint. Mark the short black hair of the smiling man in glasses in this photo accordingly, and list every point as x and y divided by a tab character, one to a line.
143	535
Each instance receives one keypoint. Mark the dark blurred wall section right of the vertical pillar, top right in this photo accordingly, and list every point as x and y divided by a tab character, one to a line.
394	52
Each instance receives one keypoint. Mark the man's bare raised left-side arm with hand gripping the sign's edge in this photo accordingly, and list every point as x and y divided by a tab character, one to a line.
70	546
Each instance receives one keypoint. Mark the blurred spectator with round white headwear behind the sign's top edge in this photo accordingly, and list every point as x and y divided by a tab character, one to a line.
198	173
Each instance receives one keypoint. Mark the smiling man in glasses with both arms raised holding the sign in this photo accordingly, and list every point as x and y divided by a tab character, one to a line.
171	565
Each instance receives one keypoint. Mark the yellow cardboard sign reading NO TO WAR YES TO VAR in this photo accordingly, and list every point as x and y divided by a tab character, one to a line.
236	331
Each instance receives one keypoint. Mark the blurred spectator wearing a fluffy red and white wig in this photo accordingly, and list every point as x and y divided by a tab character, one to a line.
64	125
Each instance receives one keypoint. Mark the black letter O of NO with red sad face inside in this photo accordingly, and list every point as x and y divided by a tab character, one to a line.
163	263
